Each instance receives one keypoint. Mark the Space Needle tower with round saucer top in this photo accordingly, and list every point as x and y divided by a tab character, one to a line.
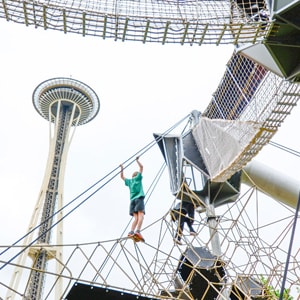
66	103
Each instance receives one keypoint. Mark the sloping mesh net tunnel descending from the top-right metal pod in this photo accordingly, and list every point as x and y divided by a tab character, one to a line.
249	93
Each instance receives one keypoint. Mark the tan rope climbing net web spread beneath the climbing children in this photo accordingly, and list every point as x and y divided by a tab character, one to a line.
252	262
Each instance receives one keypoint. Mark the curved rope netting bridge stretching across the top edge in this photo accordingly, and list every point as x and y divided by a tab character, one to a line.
162	21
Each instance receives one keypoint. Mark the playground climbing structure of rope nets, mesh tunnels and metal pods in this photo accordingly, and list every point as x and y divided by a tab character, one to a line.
232	256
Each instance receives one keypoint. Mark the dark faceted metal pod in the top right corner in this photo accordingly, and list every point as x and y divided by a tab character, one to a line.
279	52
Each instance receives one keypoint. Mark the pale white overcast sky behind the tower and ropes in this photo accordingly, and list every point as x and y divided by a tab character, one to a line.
142	89
